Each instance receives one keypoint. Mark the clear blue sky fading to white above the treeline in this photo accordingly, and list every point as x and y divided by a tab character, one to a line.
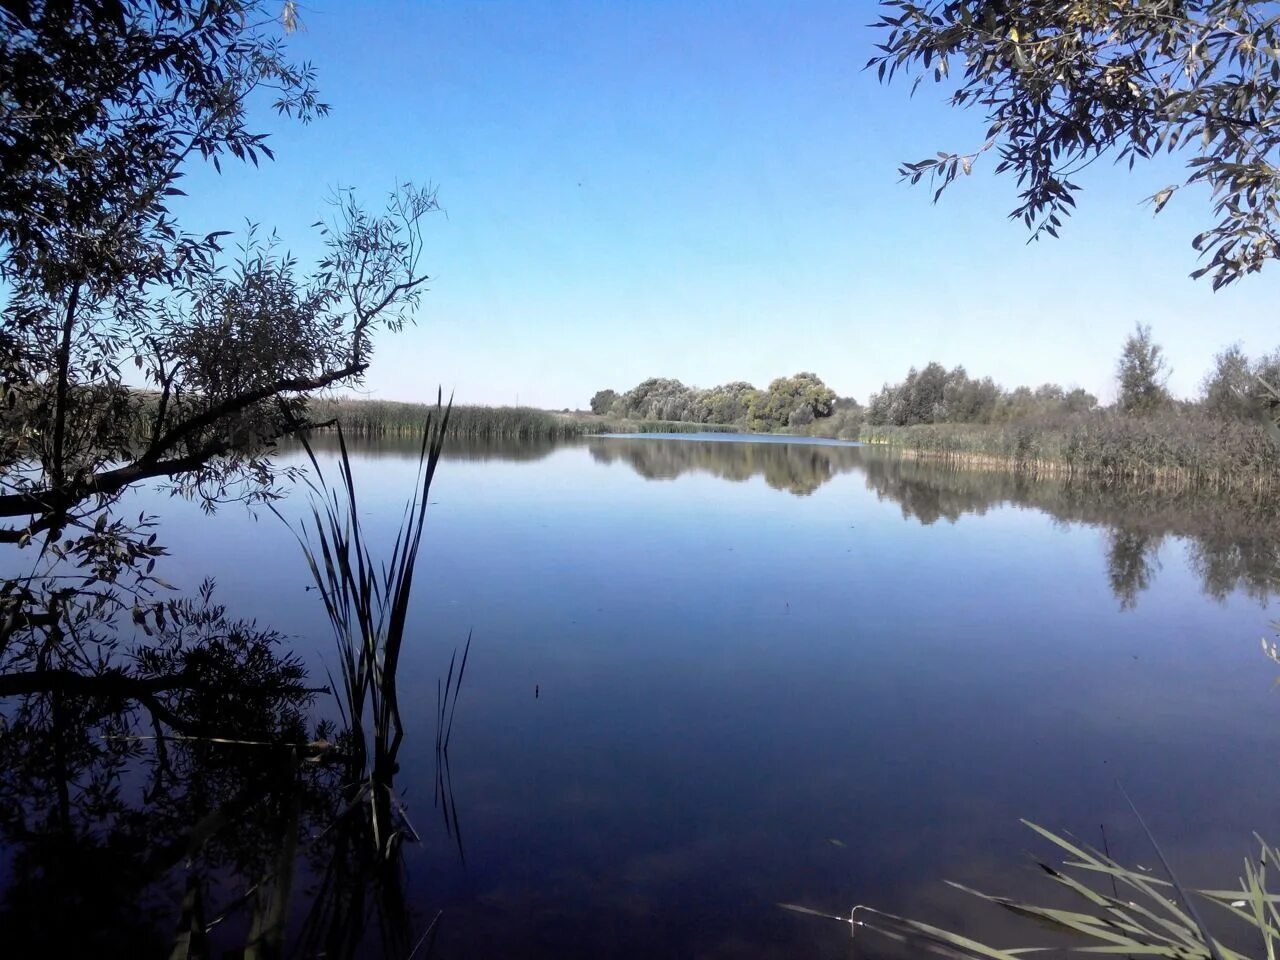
708	191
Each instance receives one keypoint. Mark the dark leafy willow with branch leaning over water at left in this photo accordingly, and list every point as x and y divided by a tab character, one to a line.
106	108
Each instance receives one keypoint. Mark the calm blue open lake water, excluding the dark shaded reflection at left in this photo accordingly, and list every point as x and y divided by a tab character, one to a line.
792	673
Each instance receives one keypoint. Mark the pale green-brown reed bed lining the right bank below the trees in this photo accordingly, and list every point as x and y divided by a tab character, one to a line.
1185	450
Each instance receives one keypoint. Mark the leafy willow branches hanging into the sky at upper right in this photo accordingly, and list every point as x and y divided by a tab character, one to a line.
1066	84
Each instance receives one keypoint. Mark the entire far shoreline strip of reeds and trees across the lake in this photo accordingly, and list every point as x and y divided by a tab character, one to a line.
1223	440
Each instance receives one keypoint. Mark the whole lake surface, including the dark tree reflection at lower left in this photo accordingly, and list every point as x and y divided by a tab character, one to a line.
676	775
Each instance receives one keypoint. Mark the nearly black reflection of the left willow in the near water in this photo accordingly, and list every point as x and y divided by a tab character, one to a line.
207	817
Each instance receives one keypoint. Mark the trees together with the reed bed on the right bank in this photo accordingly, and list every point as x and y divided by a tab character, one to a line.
1224	440
